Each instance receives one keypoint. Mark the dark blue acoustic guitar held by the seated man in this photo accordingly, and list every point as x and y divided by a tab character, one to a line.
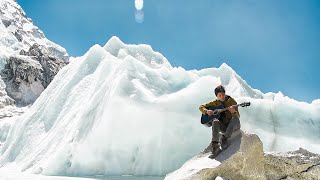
206	119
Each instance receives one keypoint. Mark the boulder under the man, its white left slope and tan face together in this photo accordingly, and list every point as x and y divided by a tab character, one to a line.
242	160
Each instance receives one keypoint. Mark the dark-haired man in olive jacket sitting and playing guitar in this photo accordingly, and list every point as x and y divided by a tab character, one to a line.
227	122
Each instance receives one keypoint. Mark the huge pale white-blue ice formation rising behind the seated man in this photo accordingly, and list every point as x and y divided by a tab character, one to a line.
123	109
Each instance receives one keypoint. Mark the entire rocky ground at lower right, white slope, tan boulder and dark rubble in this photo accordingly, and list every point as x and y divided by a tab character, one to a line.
245	160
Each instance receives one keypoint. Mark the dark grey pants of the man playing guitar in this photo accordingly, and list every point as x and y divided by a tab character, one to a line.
218	127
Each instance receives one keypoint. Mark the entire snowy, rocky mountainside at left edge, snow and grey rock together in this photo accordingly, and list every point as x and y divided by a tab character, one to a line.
28	60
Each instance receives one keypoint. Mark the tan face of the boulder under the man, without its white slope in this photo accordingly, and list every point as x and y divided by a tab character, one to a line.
242	160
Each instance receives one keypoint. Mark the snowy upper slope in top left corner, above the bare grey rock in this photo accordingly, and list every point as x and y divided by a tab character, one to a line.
18	32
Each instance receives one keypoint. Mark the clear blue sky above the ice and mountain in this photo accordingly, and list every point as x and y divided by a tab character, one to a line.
273	44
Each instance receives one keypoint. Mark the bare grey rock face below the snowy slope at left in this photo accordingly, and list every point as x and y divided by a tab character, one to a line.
28	74
